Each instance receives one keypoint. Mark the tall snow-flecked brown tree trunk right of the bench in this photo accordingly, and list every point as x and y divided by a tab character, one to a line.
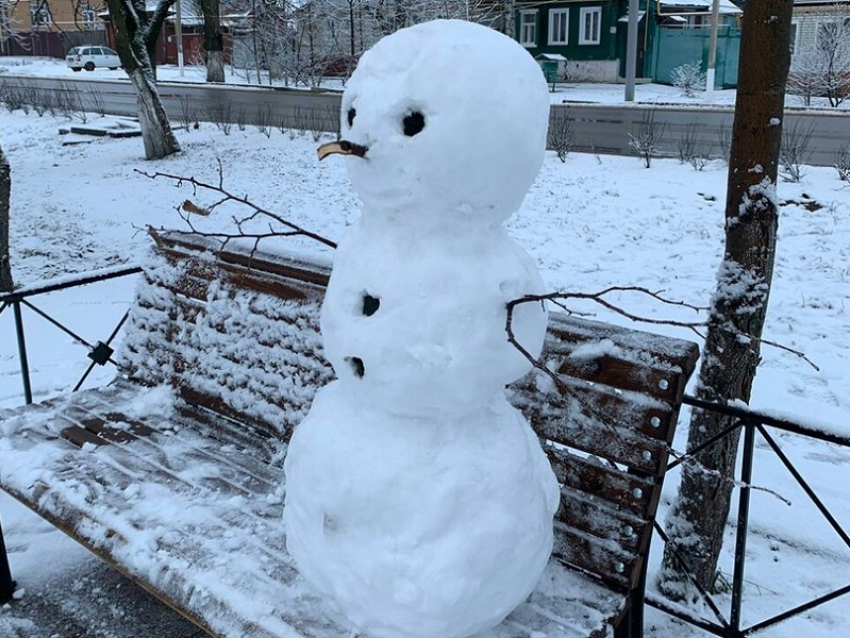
731	355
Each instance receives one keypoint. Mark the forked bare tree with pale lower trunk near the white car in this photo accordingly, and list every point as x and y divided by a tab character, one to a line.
136	32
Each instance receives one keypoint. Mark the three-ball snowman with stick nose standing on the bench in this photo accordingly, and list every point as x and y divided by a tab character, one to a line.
418	500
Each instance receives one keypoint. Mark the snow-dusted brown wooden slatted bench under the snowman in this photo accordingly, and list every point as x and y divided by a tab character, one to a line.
172	474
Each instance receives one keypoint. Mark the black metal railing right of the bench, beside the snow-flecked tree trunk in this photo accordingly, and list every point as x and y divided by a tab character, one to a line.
752	423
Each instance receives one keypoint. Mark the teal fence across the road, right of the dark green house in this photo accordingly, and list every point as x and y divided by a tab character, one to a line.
673	47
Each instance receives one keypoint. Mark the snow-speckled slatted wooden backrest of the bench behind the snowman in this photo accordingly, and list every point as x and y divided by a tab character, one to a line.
237	333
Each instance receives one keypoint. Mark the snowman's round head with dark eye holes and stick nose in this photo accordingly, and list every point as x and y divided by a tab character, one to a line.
447	120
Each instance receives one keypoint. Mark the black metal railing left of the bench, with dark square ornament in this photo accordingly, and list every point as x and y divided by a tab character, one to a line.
99	353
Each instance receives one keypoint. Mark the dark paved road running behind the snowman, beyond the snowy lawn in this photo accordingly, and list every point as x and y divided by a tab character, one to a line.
600	128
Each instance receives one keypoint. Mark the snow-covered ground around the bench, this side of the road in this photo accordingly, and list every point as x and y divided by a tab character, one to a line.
590	222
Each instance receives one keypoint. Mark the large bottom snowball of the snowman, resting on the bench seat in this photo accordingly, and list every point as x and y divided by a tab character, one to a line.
418	528
